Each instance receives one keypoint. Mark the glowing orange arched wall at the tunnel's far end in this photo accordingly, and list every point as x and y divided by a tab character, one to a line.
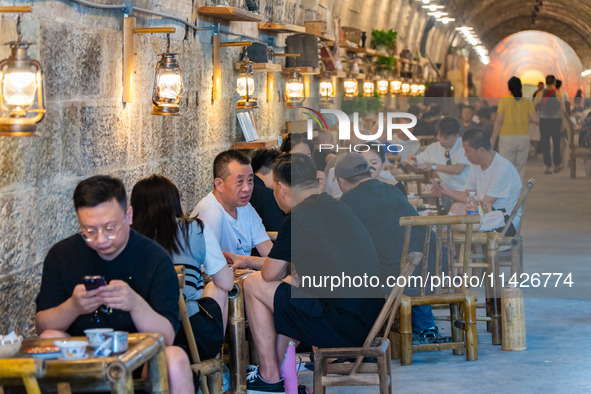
531	55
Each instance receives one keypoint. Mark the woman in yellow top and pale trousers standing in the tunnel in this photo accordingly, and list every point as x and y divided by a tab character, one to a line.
512	124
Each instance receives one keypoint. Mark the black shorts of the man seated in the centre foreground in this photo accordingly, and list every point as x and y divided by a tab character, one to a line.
304	319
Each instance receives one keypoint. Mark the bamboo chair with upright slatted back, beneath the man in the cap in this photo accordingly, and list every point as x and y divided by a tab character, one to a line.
464	338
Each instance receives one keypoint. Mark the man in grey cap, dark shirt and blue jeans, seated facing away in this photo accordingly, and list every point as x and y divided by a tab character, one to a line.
380	206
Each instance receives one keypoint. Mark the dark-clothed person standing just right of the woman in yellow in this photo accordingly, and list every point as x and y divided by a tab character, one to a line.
551	106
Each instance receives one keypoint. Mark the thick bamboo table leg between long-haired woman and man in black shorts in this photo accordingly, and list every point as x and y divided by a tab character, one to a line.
237	339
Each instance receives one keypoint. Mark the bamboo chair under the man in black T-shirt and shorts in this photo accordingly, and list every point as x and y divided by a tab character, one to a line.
360	372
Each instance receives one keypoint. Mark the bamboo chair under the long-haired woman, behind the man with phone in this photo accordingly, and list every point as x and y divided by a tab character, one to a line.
211	367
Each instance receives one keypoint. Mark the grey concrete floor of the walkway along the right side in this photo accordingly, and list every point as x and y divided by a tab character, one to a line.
557	238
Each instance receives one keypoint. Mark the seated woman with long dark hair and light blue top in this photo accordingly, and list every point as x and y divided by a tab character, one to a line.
158	215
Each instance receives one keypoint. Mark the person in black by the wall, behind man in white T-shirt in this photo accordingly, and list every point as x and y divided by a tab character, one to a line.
262	199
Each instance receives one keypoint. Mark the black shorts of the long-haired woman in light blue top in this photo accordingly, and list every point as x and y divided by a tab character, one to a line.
208	329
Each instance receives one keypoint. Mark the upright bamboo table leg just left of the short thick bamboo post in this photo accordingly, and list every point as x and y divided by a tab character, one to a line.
493	300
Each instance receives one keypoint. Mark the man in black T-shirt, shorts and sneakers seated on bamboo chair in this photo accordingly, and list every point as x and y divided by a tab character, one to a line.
319	235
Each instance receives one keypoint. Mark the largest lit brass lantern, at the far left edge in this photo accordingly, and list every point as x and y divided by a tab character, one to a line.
21	92
